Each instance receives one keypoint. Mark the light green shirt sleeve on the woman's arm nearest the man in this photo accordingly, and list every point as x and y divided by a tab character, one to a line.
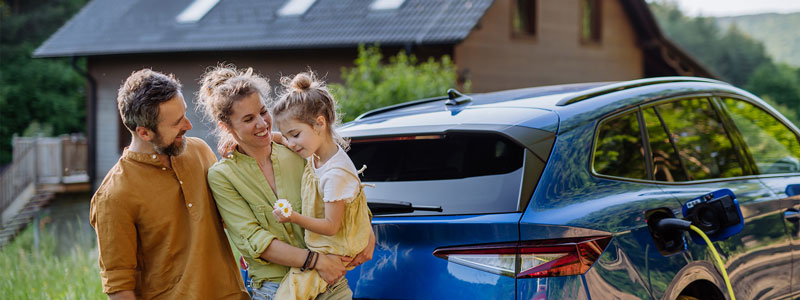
247	234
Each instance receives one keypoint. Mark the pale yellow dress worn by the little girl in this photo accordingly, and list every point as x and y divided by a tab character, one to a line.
351	239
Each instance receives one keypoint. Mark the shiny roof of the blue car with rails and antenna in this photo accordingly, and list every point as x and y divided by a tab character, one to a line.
537	107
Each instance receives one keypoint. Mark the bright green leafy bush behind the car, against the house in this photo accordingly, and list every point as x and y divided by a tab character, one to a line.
372	84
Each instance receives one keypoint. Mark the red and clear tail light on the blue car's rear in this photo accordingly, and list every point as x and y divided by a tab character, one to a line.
530	259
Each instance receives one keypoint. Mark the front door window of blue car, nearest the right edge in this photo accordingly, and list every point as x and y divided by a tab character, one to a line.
773	146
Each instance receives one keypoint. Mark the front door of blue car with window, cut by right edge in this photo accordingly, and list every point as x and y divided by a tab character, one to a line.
774	148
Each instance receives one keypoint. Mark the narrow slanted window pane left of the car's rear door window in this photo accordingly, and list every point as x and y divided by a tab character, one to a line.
666	164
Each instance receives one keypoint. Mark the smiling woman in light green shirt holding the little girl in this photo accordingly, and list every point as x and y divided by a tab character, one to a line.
254	173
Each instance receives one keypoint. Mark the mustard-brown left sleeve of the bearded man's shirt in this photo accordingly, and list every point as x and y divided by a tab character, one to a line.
116	242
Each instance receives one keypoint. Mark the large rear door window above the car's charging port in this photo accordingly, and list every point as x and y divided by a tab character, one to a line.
703	146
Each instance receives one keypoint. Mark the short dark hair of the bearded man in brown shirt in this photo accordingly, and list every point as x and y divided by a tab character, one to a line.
139	96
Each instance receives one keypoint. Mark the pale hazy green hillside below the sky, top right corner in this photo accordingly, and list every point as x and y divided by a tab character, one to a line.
779	32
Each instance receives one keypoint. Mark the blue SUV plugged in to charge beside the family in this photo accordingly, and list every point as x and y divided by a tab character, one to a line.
544	193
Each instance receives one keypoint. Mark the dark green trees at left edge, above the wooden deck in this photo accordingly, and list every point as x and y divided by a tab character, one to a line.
47	92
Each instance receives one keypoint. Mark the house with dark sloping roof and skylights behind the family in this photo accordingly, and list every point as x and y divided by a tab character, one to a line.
496	44
